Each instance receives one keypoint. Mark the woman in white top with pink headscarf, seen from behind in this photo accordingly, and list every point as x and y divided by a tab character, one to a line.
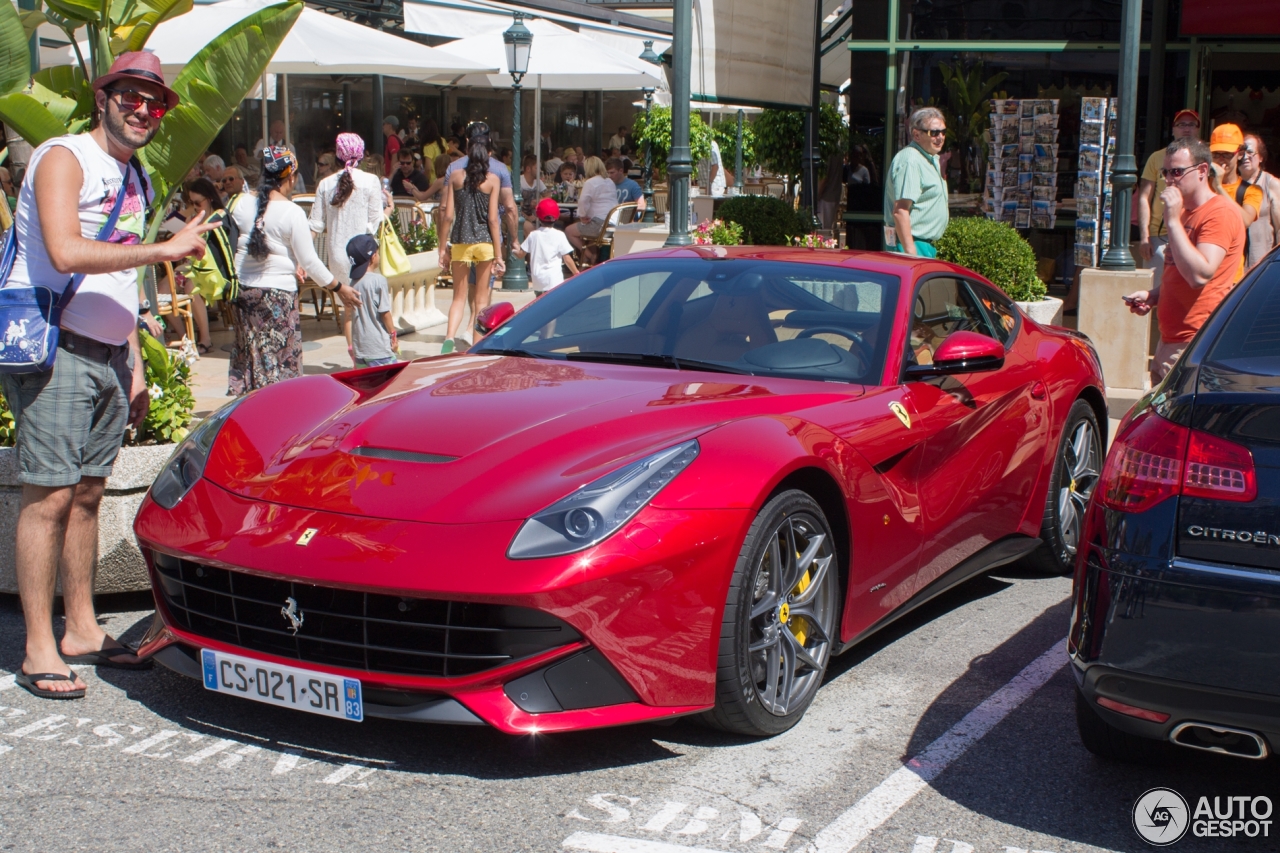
348	204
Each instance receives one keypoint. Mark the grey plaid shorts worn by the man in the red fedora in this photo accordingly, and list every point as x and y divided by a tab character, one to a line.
71	421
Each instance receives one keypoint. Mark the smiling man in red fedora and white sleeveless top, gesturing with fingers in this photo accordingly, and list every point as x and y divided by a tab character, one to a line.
71	419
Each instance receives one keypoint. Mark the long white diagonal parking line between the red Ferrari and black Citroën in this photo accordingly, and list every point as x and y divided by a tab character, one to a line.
852	828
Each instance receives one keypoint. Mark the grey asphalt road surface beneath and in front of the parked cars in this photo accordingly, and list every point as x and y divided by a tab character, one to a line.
949	733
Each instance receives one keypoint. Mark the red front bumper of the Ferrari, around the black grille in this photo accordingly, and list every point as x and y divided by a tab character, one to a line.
647	603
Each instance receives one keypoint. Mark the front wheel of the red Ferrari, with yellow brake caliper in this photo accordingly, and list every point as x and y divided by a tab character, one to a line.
779	628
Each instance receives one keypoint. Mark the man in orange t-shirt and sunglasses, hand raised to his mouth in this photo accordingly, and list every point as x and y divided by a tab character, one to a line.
1206	247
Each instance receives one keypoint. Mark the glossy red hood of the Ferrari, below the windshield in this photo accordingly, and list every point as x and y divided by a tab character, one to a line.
476	439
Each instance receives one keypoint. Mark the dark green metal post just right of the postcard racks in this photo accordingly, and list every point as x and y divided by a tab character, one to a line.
1124	174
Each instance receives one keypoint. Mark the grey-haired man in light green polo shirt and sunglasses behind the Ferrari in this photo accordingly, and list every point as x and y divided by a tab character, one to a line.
916	194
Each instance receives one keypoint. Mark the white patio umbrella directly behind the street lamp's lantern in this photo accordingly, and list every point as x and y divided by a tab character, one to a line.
560	60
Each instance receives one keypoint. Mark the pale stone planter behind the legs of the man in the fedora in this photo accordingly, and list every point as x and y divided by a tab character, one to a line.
120	563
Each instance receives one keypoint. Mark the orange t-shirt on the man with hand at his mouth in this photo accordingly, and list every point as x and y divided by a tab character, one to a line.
1183	309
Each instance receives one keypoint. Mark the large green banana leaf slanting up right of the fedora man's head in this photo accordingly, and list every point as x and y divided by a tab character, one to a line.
212	86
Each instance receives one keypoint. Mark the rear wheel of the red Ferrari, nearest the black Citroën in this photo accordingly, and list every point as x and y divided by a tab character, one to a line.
1077	469
